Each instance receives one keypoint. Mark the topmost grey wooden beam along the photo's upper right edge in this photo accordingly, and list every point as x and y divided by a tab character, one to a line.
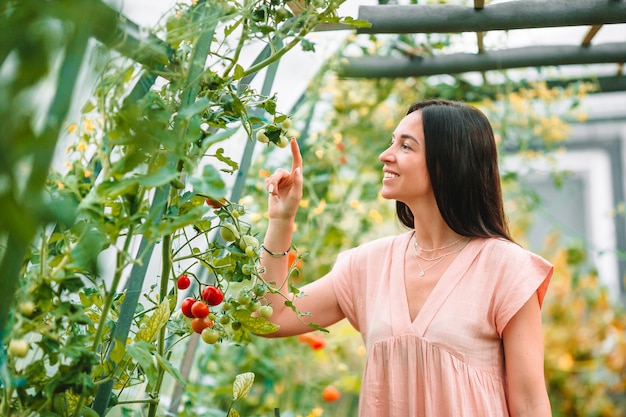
518	14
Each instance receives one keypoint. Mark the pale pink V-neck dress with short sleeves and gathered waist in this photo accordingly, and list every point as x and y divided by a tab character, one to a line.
449	361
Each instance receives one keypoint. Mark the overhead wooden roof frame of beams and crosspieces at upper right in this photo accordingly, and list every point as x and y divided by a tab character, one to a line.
516	14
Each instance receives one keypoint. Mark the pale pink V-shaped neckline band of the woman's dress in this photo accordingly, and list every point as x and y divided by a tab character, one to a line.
442	288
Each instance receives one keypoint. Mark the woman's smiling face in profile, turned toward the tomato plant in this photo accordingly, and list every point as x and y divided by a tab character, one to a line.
405	175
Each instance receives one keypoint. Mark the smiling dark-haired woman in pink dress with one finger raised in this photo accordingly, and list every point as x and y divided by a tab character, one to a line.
449	311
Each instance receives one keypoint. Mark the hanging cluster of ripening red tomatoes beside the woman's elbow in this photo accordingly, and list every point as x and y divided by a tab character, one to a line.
198	310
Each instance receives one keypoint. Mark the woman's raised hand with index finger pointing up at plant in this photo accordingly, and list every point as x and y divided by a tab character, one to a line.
285	188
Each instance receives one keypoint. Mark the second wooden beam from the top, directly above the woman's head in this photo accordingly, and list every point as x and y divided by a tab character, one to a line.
534	56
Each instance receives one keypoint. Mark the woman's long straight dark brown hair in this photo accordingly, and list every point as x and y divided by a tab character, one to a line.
462	162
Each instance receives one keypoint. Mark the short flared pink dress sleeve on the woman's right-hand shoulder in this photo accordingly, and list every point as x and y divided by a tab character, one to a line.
521	275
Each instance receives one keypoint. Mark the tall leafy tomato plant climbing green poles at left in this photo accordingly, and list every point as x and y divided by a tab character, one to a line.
141	184
